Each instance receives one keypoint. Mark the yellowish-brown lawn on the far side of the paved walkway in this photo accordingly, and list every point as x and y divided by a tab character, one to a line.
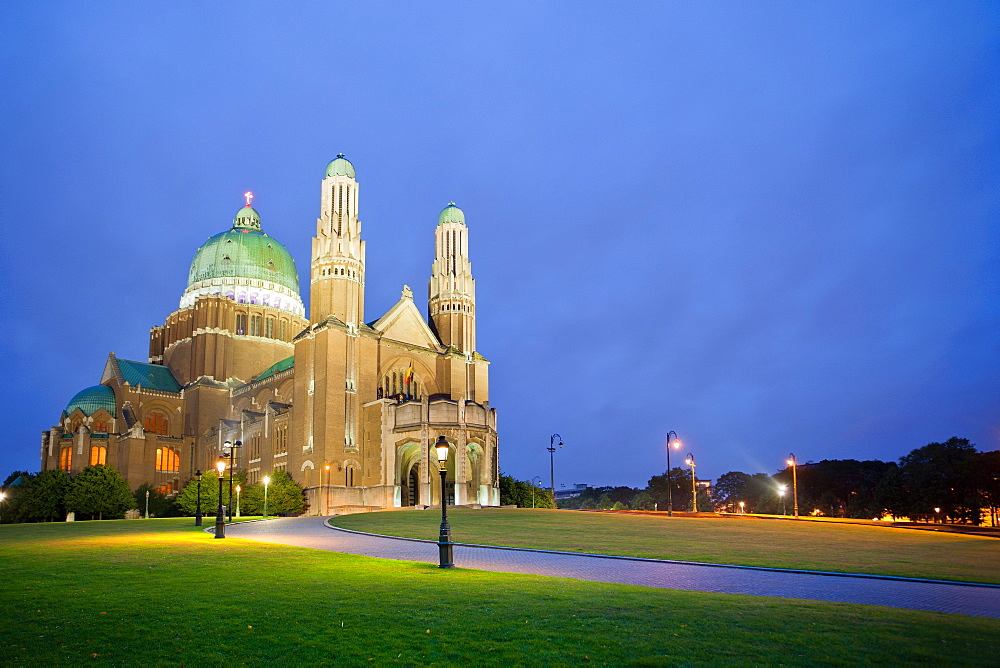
736	540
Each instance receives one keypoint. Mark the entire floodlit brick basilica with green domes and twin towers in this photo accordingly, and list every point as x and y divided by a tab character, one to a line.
350	409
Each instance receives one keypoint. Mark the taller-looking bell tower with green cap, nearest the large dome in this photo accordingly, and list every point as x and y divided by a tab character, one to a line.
337	276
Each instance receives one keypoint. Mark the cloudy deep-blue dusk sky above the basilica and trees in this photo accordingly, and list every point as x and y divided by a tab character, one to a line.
772	227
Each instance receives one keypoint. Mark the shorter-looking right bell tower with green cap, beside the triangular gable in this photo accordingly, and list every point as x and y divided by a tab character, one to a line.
451	300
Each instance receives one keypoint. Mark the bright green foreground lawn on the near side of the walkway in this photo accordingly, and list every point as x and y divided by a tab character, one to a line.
160	592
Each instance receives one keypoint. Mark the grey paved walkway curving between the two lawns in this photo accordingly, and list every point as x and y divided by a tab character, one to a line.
915	595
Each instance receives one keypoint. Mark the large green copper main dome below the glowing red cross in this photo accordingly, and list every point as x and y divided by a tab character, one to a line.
244	253
